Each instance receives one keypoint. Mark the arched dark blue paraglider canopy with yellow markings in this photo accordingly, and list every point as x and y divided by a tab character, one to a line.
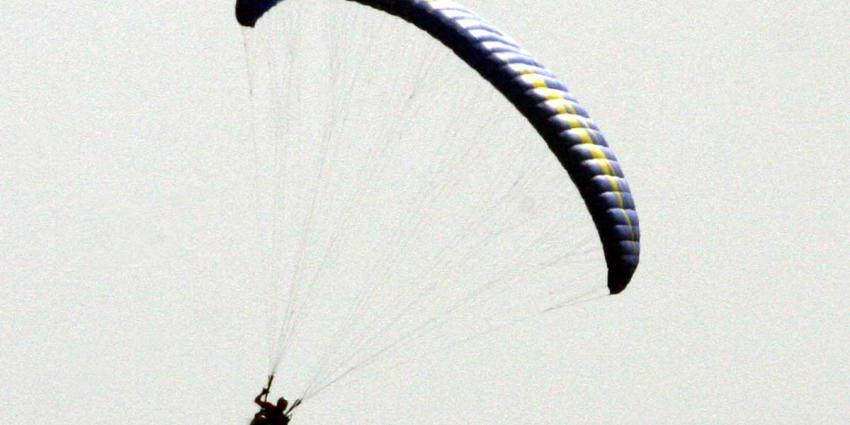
547	103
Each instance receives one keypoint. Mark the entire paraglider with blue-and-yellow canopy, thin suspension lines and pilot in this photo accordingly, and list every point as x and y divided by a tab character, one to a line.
535	92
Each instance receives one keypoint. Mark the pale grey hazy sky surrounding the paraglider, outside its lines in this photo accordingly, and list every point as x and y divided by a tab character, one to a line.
123	134
